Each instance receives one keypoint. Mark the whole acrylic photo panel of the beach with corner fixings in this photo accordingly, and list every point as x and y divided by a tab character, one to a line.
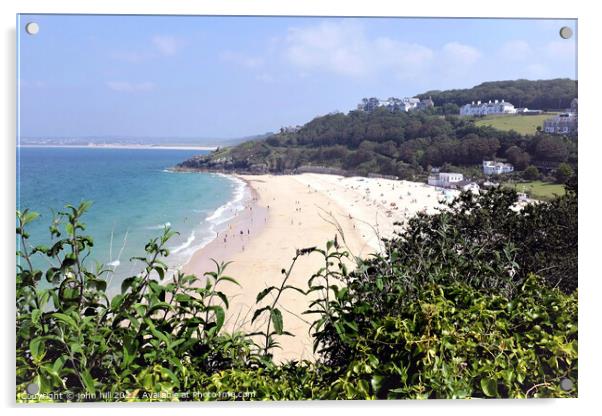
293	208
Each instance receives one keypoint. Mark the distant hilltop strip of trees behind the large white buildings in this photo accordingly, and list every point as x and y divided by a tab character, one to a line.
543	94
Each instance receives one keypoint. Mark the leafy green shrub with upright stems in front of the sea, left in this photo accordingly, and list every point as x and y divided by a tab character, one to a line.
72	337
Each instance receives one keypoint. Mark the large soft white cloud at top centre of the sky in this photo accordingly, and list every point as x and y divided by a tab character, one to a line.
344	48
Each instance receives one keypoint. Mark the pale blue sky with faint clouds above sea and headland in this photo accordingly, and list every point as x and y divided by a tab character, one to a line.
226	77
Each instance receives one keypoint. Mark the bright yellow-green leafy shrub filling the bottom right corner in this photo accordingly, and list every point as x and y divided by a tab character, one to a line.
455	342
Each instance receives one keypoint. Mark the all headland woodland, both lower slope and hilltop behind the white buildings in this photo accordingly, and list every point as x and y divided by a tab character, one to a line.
408	144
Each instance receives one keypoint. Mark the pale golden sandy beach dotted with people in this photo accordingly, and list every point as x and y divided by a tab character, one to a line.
289	212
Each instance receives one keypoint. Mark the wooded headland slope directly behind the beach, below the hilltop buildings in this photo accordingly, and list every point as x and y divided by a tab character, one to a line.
388	143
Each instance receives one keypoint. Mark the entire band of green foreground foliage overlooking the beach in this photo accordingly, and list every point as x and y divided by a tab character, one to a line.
479	300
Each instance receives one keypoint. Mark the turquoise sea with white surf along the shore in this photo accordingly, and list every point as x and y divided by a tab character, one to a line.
134	196
